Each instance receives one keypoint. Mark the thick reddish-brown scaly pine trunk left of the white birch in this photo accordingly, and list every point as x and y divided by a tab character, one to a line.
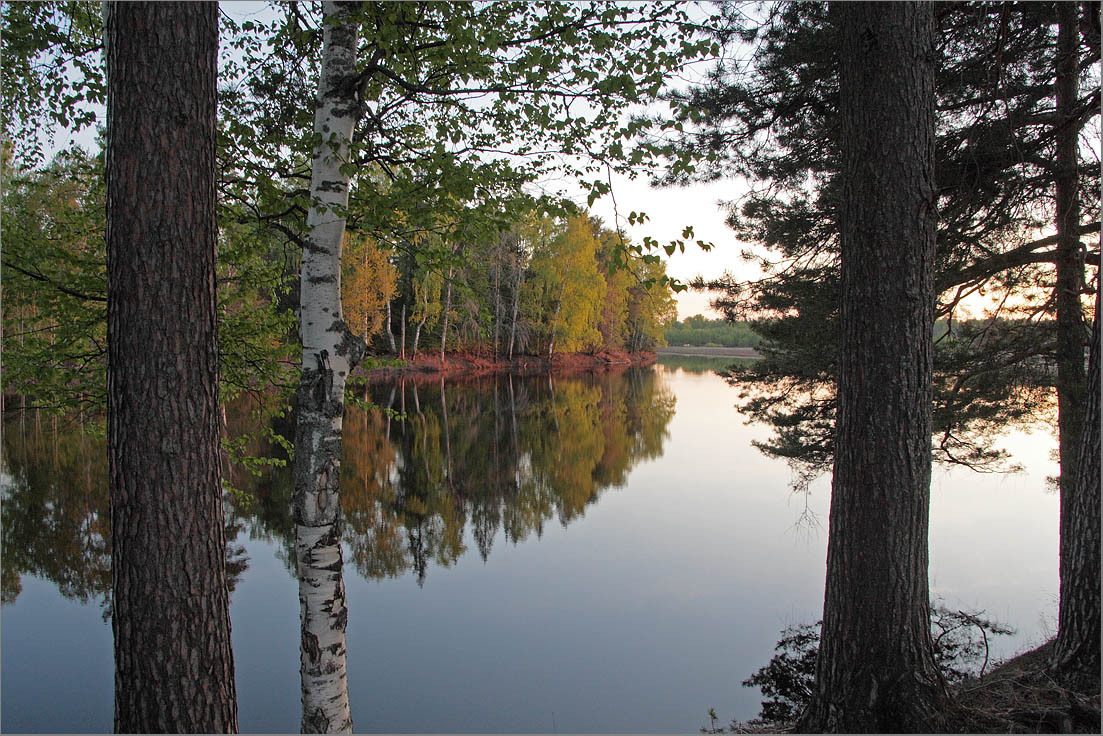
174	664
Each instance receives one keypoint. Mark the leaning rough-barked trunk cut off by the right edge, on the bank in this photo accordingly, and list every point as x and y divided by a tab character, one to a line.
1077	652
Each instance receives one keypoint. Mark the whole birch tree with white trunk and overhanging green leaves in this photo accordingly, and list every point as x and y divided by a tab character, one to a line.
437	88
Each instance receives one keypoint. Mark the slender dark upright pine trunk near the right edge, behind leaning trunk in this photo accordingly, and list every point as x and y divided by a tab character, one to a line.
1070	328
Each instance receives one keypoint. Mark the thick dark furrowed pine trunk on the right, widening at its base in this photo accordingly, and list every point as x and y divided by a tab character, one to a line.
876	669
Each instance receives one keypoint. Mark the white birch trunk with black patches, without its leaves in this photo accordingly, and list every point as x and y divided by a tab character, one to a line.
330	351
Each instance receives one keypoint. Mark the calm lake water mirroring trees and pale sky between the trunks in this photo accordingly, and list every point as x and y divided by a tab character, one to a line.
601	553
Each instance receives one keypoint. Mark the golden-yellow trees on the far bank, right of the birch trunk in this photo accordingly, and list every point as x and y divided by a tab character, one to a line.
544	285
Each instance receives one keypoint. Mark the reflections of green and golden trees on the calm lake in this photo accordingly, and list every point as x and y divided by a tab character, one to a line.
431	461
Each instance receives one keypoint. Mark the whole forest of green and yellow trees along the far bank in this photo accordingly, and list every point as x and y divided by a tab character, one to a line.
543	284
